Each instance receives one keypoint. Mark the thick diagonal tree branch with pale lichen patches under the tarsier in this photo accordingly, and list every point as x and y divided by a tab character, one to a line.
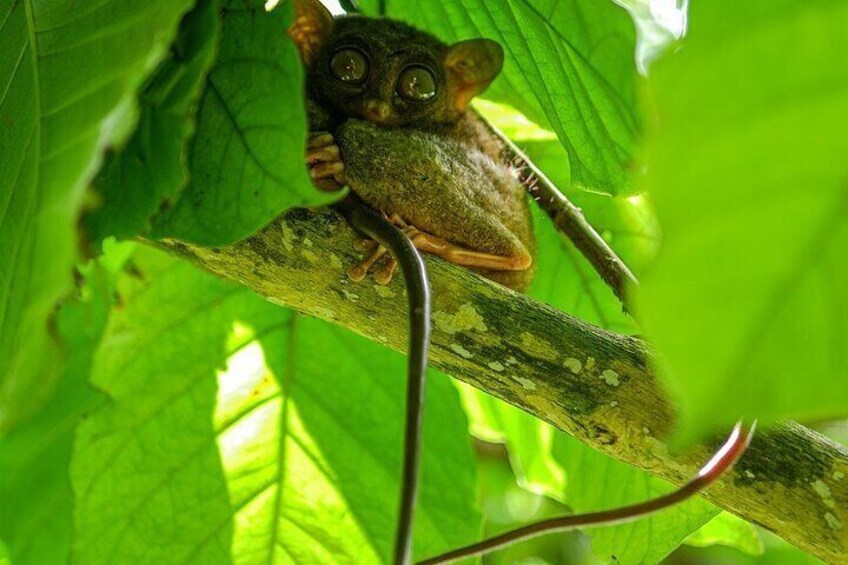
591	383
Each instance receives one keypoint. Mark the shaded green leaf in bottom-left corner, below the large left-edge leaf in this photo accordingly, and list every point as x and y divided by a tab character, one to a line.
36	516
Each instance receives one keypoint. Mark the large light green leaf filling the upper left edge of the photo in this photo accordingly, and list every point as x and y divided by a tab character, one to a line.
68	76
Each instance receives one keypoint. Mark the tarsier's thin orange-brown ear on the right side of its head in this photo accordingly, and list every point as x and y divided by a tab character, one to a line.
471	66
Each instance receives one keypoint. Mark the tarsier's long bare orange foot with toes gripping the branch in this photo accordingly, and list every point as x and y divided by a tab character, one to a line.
436	246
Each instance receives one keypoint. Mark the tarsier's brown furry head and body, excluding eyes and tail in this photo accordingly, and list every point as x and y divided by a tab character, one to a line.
431	164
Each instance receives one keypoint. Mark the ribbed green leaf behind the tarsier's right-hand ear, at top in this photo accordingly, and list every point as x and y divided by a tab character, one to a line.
569	64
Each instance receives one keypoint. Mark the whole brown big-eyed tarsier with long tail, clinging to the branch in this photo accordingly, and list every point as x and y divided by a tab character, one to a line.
390	119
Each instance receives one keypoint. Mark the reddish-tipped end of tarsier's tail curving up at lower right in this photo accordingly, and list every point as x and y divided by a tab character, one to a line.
721	461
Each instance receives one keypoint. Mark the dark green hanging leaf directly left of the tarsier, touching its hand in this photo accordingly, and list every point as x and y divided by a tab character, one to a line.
246	160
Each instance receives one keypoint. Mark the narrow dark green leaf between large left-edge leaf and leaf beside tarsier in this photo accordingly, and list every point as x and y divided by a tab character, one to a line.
135	182
